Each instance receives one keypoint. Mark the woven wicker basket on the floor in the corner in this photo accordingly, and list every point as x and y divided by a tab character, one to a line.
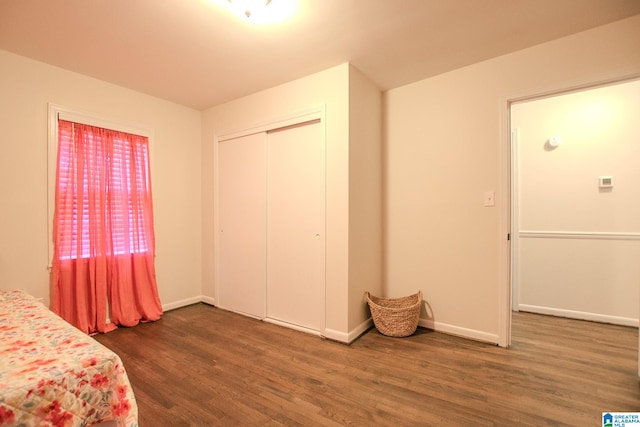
395	317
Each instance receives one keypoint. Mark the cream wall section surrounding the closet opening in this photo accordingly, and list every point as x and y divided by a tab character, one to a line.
328	88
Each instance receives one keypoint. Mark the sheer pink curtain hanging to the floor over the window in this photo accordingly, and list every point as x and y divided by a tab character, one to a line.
103	263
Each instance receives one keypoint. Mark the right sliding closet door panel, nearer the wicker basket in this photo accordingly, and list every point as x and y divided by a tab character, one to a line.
296	225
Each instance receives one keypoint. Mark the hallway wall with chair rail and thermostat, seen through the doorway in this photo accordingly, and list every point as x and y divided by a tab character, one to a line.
582	276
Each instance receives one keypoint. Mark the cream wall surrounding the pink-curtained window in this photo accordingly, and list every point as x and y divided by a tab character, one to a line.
27	87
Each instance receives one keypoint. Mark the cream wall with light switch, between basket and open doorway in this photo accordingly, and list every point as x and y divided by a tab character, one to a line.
444	148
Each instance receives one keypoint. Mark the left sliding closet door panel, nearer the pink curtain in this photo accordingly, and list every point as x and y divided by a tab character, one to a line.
242	224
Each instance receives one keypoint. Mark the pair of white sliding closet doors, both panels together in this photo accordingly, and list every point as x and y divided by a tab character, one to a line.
271	261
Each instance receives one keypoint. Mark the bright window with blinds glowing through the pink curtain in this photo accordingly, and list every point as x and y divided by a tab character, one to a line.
105	170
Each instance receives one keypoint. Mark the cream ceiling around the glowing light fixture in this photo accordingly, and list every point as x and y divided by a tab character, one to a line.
196	53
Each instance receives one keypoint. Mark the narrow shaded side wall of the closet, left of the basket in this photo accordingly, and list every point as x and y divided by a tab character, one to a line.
365	194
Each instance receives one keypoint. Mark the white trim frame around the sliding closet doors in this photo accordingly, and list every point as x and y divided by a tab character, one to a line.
295	118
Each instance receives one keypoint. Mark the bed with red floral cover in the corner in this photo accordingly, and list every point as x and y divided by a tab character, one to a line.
52	374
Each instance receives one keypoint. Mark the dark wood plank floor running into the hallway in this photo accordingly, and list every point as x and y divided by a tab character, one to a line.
202	366
